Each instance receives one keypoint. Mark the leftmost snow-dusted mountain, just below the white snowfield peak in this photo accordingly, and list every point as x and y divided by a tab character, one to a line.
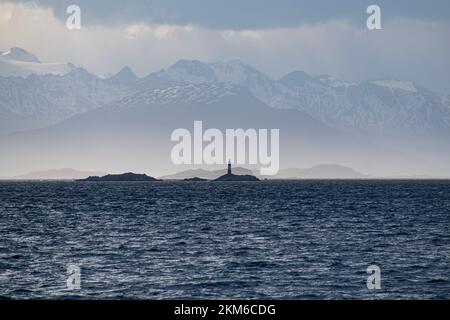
41	100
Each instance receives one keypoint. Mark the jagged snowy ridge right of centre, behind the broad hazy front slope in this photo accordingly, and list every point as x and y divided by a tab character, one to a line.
372	107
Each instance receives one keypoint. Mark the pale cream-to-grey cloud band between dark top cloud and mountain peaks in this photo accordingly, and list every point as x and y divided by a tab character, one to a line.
406	48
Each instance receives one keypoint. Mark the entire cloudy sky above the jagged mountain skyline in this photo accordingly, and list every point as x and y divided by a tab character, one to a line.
277	37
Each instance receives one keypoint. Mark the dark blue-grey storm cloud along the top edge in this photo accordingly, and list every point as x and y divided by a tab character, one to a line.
241	14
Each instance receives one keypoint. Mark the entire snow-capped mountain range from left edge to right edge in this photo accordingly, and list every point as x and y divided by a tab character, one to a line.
383	107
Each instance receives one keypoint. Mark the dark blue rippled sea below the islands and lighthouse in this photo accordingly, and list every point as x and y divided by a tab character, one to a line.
293	240
